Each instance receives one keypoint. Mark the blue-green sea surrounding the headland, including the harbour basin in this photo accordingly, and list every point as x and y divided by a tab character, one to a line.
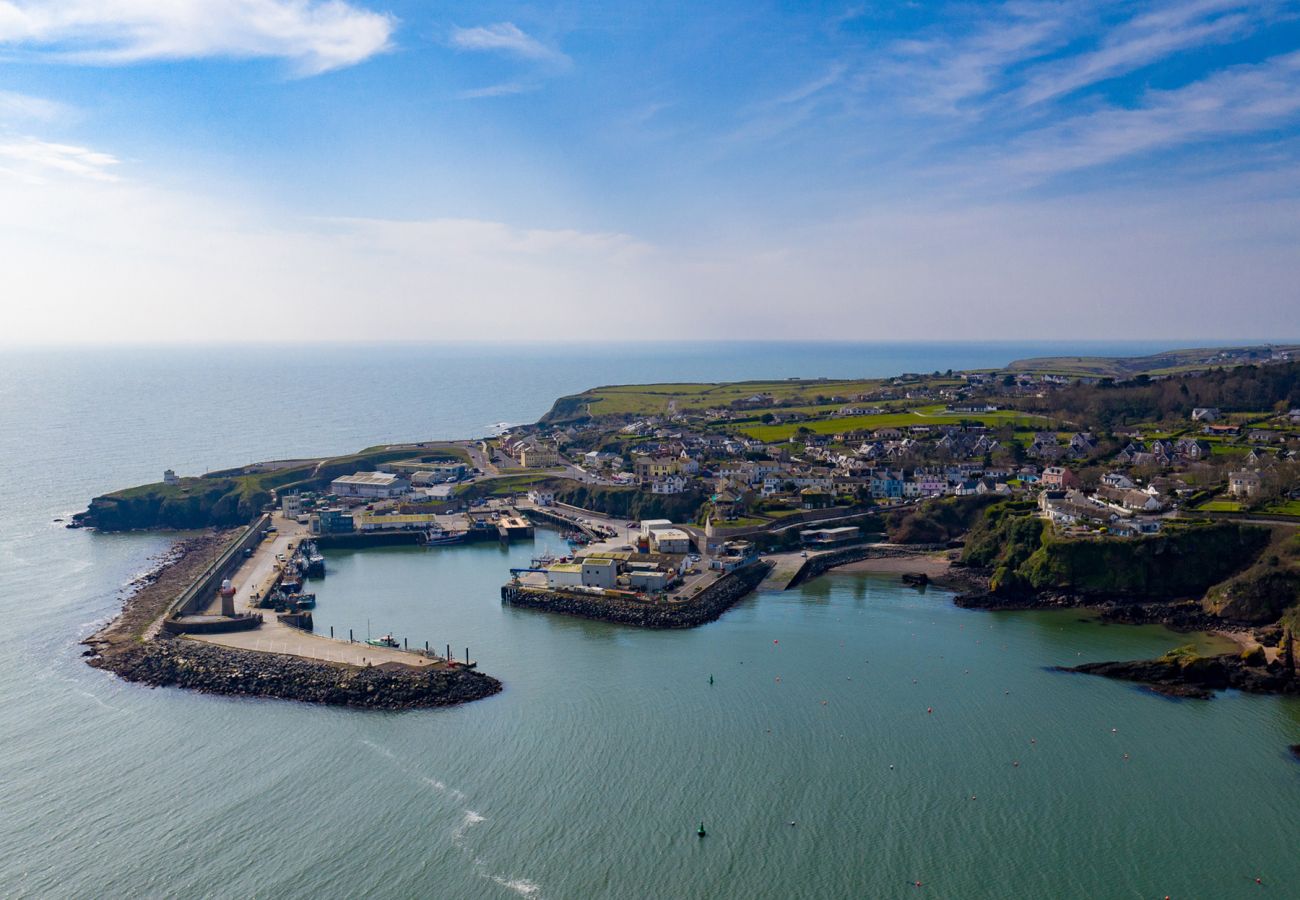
591	773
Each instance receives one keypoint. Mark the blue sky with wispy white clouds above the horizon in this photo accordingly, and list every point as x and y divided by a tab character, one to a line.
176	171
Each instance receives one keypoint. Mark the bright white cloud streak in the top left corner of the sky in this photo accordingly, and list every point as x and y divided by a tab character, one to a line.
315	36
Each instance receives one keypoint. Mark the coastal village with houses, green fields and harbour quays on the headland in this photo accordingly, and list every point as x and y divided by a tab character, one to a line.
675	505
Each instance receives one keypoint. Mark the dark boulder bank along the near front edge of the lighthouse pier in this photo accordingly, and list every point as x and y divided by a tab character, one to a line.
213	669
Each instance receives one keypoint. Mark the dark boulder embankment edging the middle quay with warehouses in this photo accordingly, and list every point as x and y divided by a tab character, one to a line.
708	607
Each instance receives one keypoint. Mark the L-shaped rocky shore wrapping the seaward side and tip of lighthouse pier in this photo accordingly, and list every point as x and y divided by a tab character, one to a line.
131	648
